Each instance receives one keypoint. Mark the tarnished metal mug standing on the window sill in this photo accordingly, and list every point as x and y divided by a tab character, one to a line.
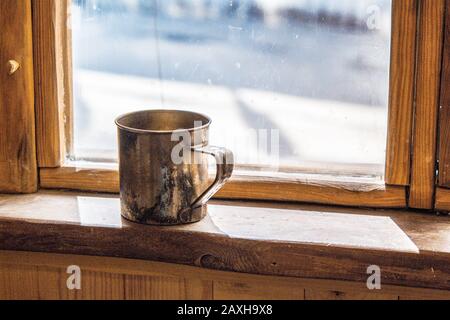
155	188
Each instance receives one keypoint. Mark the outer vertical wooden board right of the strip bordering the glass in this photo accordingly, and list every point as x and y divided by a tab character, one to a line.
429	52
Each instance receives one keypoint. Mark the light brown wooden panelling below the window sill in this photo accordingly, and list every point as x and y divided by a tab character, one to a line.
42	276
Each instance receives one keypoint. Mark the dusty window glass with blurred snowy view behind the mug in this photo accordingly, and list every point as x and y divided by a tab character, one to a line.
289	84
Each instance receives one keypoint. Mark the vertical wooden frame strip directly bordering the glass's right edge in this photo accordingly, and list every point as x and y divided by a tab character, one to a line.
401	92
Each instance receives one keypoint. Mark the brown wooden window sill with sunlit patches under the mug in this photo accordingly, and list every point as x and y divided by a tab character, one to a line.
304	241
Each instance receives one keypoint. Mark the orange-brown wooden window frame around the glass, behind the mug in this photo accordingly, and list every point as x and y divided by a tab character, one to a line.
417	41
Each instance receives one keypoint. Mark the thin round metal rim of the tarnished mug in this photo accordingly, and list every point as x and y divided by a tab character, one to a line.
135	130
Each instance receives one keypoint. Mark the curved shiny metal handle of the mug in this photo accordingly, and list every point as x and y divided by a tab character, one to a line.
225	165
